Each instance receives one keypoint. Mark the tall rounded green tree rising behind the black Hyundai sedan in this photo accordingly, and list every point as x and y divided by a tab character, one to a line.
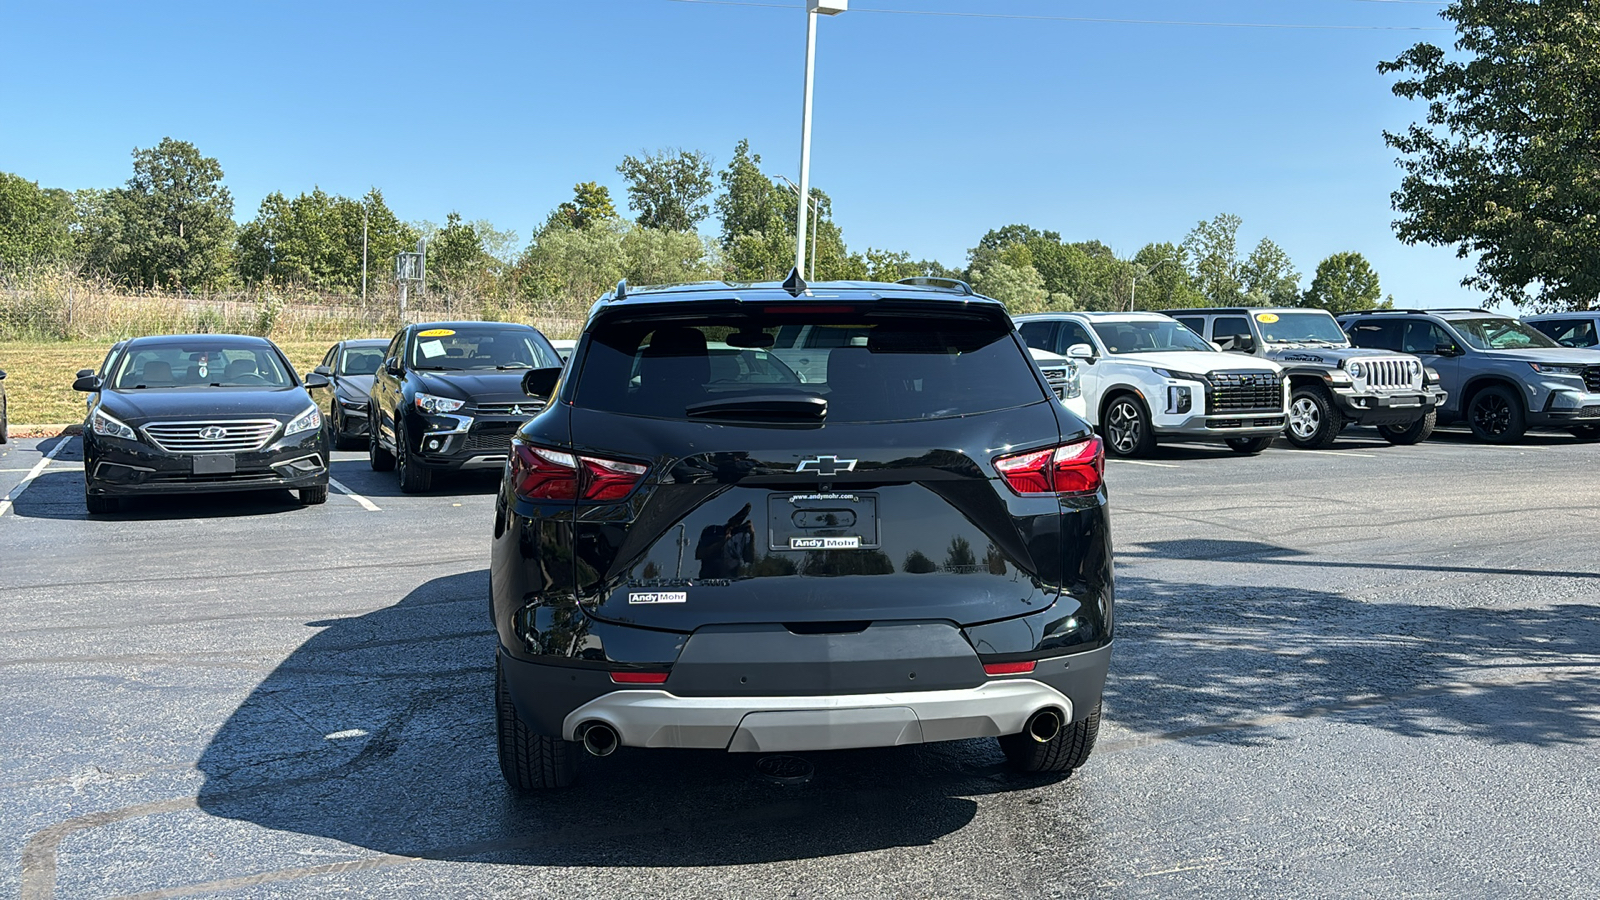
177	219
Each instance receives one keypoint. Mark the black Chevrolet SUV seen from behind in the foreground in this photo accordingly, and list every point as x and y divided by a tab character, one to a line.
697	548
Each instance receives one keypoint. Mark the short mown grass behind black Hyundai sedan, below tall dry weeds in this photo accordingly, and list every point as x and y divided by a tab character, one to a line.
39	376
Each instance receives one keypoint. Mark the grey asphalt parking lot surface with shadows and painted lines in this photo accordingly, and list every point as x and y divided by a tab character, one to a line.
1364	672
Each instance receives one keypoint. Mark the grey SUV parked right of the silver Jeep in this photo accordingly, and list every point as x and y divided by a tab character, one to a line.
1503	377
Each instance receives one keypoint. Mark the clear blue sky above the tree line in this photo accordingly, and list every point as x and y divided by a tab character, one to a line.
930	131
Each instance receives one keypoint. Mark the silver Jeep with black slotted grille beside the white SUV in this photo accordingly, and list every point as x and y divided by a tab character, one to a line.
1332	384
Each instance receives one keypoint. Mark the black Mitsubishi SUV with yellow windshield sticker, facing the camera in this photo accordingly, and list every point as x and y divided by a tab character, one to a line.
449	396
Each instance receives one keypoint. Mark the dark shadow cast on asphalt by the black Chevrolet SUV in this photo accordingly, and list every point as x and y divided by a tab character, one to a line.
380	733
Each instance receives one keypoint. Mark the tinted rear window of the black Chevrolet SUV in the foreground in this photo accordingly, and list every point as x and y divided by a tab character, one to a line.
882	369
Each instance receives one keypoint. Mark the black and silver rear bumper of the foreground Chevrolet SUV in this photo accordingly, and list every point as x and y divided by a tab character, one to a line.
564	701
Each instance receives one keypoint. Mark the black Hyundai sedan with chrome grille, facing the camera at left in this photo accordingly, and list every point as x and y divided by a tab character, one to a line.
201	414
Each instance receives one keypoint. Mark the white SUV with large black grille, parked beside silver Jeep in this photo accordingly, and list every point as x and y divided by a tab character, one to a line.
1146	377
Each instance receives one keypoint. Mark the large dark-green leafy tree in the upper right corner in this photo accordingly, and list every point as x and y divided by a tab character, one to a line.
1508	163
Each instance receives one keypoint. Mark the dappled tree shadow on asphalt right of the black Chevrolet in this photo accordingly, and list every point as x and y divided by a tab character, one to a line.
1225	662
